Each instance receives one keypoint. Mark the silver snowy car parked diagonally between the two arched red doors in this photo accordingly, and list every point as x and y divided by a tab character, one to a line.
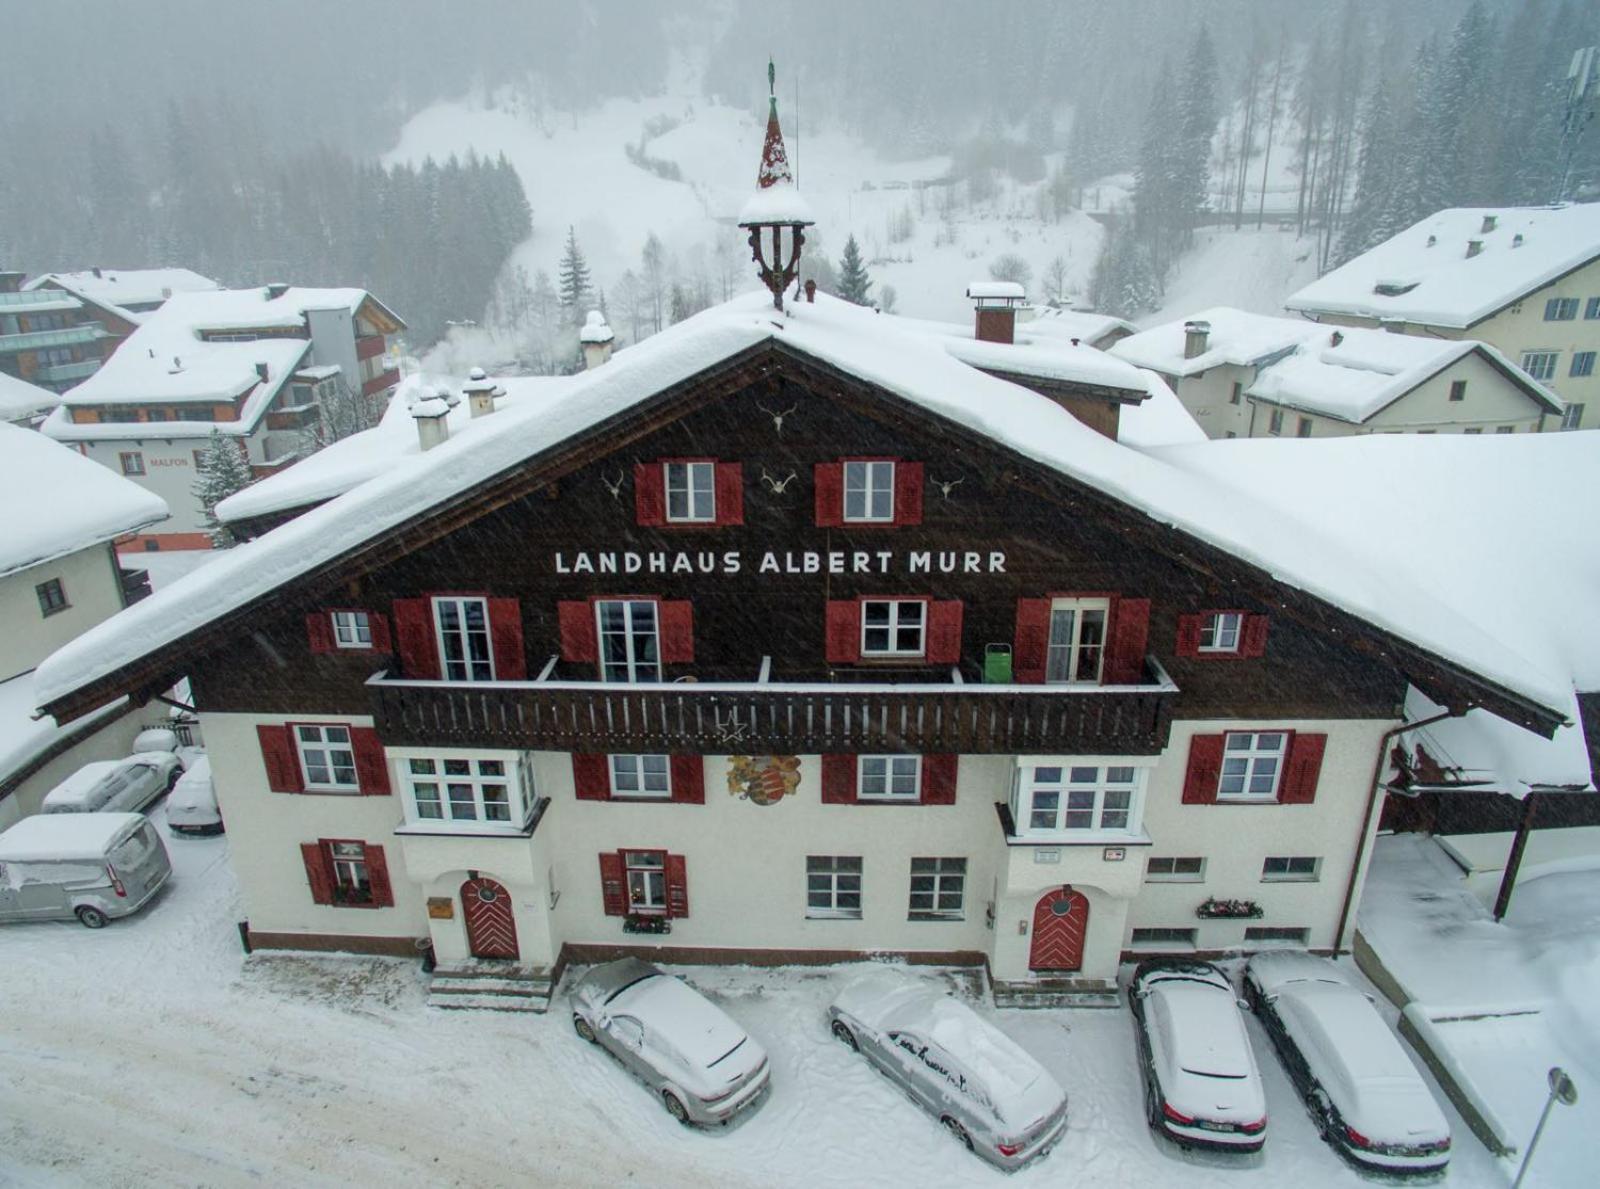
970	1076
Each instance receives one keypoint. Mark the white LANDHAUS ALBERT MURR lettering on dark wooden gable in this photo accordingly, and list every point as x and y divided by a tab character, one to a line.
788	562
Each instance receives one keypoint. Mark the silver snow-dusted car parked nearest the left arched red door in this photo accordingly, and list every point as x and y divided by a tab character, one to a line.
702	1065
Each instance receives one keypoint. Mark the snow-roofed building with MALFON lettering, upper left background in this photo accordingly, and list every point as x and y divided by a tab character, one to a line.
265	367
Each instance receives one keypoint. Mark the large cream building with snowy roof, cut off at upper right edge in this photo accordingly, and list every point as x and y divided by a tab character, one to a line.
1522	279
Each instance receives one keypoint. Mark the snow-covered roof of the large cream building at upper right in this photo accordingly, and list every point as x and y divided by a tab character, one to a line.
1426	276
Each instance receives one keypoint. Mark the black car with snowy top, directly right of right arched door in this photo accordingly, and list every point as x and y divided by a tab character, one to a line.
1202	1087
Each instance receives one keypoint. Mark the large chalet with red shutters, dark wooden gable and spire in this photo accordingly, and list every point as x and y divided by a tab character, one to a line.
793	636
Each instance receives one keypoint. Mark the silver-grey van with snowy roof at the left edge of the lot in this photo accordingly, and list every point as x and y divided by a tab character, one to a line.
92	867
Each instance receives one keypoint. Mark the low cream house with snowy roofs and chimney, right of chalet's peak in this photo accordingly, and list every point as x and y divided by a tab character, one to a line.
1254	375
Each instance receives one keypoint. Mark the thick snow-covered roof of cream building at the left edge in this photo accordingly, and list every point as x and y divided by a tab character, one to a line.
57	502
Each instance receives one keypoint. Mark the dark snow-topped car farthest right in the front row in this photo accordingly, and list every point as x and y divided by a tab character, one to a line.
1359	1084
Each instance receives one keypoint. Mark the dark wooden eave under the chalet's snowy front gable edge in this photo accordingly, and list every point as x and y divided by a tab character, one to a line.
774	362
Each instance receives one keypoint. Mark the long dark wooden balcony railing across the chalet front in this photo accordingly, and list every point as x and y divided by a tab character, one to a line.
796	718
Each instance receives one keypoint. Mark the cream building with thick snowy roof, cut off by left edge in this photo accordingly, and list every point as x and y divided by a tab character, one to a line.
58	578
